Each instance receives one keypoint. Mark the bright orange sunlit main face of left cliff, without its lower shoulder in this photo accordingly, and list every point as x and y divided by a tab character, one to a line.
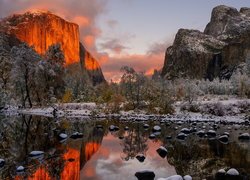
43	29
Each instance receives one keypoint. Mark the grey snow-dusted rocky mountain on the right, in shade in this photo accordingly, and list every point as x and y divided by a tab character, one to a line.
216	52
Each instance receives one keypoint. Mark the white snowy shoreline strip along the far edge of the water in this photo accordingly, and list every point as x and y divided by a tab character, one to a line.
88	111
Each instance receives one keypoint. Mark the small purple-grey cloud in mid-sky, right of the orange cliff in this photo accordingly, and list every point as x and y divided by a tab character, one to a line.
113	45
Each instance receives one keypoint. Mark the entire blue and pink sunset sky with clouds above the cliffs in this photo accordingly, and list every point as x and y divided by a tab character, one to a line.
127	32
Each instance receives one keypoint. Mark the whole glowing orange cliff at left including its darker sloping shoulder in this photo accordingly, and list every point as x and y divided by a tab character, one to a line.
42	29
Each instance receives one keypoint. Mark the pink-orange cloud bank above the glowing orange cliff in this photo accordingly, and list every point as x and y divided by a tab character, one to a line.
82	12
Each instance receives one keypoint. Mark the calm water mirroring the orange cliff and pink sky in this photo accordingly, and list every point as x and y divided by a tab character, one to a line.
101	154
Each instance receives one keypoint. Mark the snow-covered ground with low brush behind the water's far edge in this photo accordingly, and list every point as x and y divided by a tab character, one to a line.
92	110
